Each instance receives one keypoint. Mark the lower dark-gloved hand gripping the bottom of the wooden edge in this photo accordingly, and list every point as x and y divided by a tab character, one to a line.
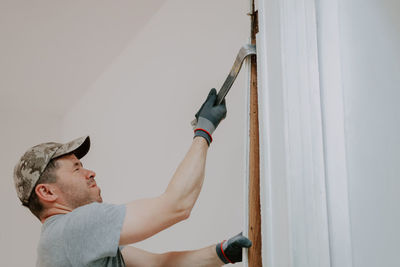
231	251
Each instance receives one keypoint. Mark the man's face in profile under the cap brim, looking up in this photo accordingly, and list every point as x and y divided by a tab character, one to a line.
76	184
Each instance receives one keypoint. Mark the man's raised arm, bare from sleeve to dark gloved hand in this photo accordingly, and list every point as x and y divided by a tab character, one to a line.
147	217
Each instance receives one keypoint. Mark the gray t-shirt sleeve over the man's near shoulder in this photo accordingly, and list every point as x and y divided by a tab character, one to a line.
92	232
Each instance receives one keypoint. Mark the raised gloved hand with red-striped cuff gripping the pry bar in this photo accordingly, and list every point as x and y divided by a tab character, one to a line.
209	116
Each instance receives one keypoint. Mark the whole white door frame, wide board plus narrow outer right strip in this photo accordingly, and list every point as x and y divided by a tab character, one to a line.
305	210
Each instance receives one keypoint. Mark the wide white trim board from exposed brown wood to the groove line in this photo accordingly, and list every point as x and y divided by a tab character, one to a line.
295	222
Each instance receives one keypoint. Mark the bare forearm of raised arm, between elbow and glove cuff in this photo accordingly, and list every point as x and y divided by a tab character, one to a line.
186	183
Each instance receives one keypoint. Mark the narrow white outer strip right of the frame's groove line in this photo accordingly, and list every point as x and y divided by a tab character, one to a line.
332	103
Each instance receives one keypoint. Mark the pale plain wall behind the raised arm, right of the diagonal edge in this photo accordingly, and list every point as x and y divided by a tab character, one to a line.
138	115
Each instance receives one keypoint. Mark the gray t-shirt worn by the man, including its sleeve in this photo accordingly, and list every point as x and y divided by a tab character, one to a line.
87	236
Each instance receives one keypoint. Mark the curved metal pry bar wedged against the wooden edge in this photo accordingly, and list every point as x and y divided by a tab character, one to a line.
244	52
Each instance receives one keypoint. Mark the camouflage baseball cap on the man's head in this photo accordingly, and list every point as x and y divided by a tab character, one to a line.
33	163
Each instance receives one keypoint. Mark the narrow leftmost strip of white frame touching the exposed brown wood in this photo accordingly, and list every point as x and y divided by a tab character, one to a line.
275	221
